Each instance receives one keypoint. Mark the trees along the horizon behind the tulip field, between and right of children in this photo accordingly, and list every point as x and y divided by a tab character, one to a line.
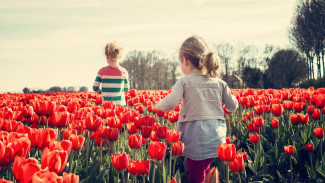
267	67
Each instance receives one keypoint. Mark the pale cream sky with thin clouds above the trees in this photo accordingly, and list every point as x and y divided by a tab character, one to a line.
61	43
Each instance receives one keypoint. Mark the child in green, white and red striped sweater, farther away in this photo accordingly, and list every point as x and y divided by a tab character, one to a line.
114	78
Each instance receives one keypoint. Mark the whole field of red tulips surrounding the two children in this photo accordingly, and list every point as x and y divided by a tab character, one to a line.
276	135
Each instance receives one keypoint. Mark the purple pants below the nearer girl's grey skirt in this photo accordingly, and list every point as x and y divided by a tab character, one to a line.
198	169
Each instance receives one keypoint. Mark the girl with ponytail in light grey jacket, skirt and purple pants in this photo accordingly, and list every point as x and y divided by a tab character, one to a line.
201	119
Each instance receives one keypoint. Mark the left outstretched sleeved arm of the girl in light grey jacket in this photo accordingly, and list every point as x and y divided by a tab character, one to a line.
171	100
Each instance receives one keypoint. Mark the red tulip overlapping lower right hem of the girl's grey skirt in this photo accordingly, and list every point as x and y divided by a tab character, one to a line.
226	152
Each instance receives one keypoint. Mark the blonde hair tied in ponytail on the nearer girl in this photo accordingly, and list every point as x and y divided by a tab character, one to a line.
196	50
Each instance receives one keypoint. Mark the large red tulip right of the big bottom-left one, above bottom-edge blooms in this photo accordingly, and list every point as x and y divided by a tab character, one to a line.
55	160
